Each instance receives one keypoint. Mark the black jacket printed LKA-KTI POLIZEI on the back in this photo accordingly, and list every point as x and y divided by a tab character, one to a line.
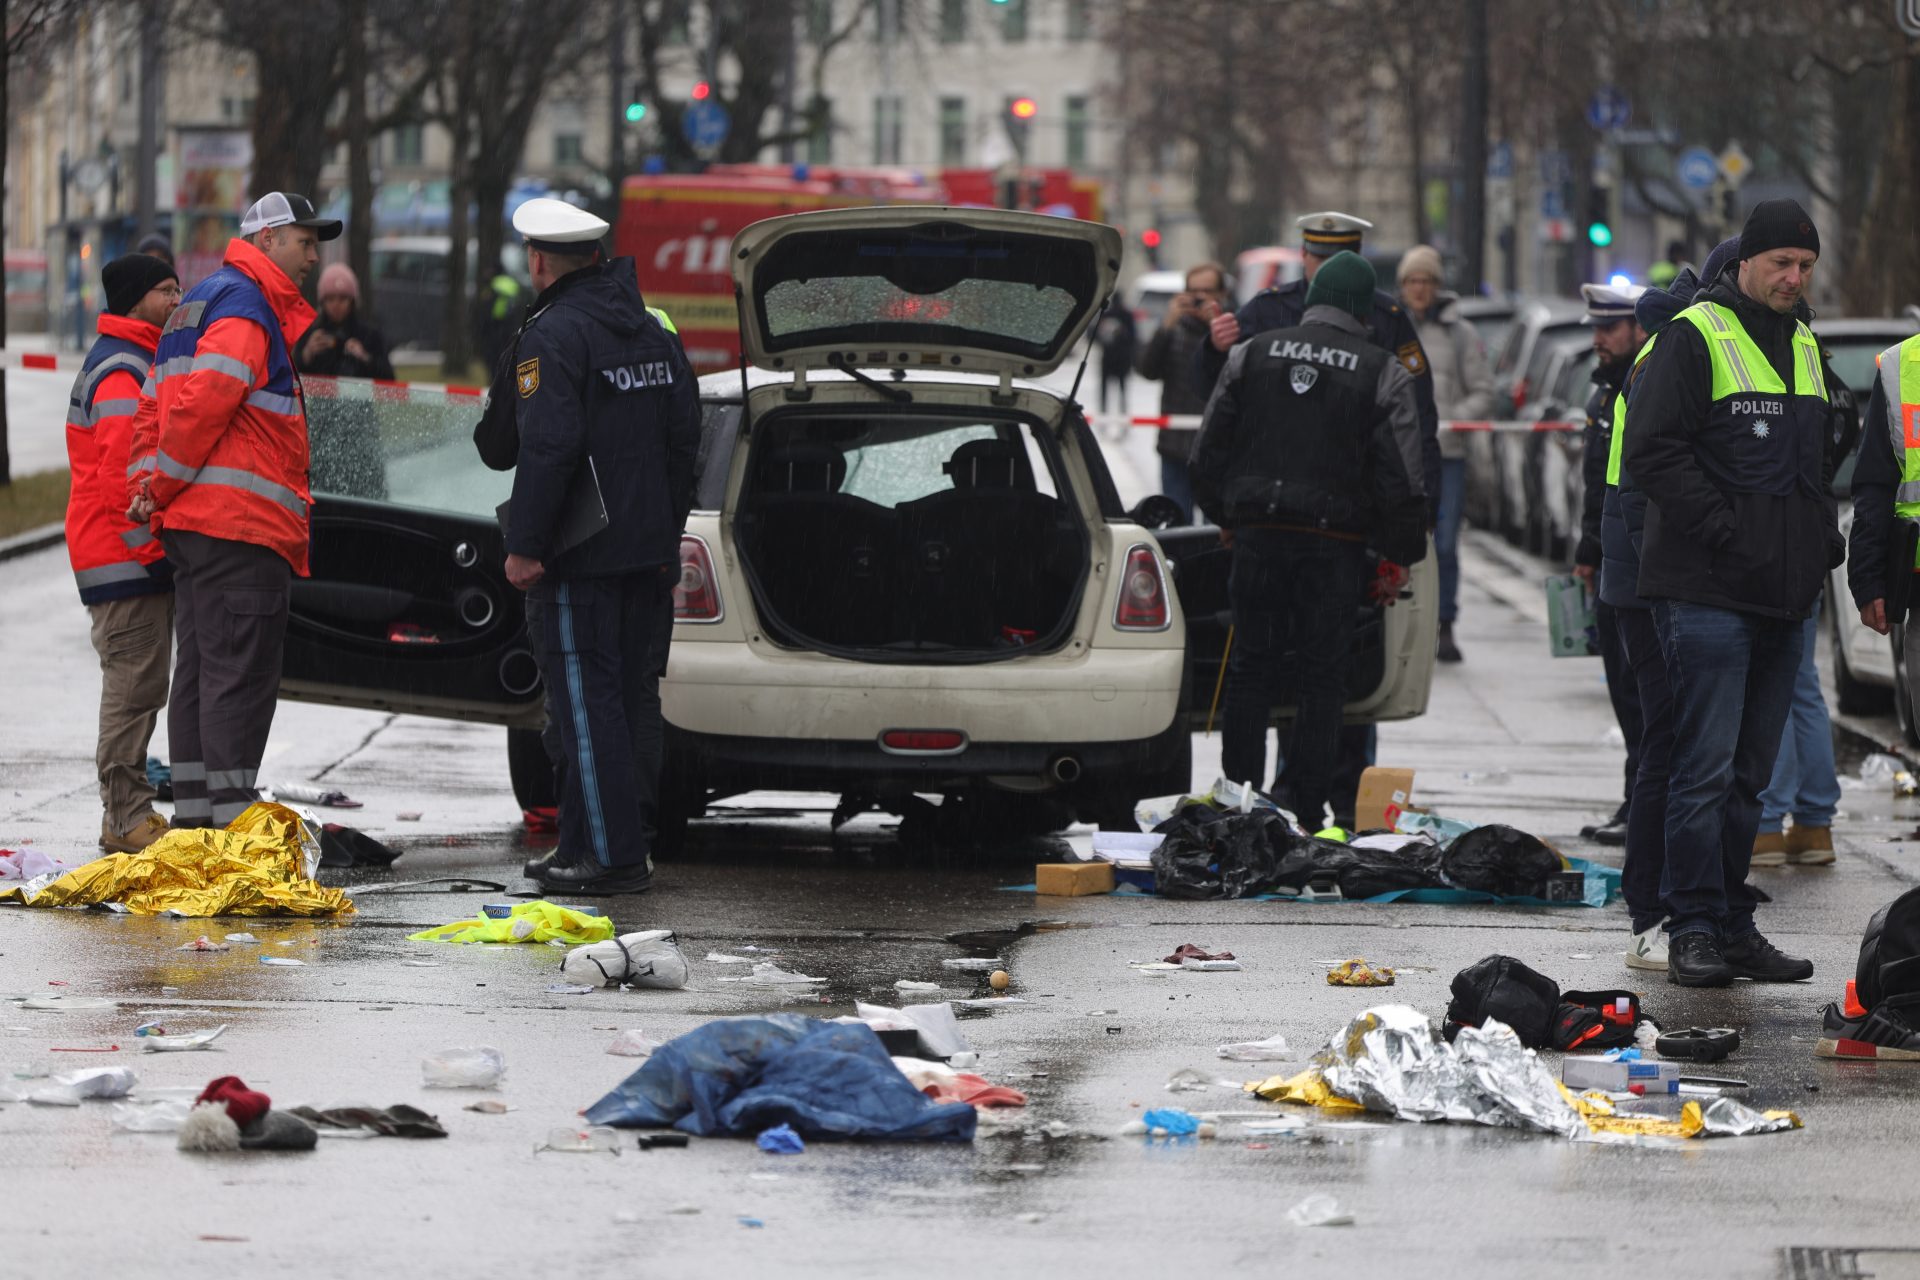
1316	429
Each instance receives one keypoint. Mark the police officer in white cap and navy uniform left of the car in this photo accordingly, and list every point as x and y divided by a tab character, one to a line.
608	414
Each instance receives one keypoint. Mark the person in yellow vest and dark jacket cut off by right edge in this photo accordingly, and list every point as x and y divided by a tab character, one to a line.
1886	494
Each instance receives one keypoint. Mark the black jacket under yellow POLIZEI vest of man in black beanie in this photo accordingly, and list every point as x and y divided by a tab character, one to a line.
1708	544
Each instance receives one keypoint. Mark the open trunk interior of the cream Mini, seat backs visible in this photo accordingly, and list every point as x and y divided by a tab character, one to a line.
909	536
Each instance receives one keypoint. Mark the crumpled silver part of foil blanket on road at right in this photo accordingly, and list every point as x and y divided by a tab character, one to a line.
1391	1060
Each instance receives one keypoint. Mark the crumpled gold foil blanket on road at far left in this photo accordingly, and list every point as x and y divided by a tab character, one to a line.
252	868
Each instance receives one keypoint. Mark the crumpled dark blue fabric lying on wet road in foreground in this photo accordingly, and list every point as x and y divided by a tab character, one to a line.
742	1076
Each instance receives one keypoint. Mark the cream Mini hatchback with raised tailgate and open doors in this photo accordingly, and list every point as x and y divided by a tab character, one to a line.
909	571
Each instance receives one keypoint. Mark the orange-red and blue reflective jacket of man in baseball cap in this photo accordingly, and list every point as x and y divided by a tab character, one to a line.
222	435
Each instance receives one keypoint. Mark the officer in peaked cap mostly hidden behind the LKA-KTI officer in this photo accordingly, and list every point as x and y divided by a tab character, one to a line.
1324	235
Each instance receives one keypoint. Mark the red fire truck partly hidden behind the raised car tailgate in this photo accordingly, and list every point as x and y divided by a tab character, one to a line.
679	227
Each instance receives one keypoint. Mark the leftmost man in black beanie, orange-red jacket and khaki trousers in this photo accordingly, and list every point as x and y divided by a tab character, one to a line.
120	569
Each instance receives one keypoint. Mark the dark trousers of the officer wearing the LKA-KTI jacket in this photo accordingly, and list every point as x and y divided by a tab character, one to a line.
1295	596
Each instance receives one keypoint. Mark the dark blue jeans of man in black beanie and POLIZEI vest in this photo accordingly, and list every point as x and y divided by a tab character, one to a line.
1733	682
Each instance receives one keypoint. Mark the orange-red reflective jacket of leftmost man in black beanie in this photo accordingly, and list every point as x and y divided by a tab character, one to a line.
112	559
